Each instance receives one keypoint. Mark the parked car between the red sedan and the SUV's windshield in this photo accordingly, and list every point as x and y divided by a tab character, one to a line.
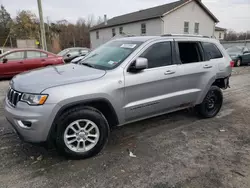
71	53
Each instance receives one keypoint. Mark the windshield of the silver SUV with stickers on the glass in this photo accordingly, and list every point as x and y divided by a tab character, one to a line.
110	55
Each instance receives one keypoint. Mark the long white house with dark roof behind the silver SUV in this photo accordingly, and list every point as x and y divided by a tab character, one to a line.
180	17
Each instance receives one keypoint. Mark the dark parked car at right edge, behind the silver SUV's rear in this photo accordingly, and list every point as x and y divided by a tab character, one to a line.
240	55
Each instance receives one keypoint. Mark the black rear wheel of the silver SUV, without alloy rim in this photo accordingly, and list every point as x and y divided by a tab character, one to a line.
212	103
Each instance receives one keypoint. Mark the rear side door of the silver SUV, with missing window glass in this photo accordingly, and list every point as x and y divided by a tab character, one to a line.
195	72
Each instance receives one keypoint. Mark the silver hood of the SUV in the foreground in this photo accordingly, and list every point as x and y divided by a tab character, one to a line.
40	79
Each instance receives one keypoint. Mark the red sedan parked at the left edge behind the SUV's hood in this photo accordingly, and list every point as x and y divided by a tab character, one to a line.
20	60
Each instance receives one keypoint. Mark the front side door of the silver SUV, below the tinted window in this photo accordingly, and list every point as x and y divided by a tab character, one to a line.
149	92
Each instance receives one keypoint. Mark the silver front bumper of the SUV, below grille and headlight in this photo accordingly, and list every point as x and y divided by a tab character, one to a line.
40	117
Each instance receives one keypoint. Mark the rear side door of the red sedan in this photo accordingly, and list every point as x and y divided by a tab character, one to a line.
34	59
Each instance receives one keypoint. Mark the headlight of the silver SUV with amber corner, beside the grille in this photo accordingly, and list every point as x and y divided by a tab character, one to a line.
34	99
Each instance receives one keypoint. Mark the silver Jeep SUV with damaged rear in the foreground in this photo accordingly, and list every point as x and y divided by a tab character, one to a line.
123	81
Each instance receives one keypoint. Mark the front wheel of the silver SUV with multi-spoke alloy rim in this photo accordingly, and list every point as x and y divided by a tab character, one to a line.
81	133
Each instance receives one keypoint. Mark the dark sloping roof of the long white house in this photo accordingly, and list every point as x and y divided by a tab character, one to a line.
151	13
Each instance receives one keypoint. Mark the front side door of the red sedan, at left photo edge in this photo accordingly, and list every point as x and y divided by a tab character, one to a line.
14	64
